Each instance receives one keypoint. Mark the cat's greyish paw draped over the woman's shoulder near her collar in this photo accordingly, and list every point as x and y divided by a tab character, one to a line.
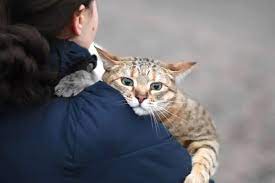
74	83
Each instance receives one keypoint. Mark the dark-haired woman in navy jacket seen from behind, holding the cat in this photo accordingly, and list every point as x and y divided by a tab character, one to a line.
87	138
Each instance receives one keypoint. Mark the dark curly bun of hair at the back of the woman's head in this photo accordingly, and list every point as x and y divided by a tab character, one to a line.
23	57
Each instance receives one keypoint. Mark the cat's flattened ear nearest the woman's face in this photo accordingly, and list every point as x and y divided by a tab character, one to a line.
108	59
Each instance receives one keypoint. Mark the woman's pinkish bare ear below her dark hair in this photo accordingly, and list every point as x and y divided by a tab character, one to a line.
78	20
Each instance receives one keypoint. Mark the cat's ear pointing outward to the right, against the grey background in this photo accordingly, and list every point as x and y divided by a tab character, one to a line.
180	70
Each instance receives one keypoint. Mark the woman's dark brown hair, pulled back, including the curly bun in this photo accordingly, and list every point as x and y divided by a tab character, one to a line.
25	27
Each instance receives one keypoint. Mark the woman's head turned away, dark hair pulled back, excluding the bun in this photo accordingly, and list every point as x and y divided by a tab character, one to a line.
66	19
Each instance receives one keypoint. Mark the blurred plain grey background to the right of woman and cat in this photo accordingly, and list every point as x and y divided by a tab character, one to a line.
233	42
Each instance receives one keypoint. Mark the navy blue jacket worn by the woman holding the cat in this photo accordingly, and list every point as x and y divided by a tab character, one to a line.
93	137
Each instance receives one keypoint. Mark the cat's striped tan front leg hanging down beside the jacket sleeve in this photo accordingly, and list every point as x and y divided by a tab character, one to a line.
204	160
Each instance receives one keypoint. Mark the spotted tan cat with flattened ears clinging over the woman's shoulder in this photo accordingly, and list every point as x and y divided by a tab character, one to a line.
150	88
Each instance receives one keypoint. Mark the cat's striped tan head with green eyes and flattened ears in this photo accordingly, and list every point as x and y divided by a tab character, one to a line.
148	85
